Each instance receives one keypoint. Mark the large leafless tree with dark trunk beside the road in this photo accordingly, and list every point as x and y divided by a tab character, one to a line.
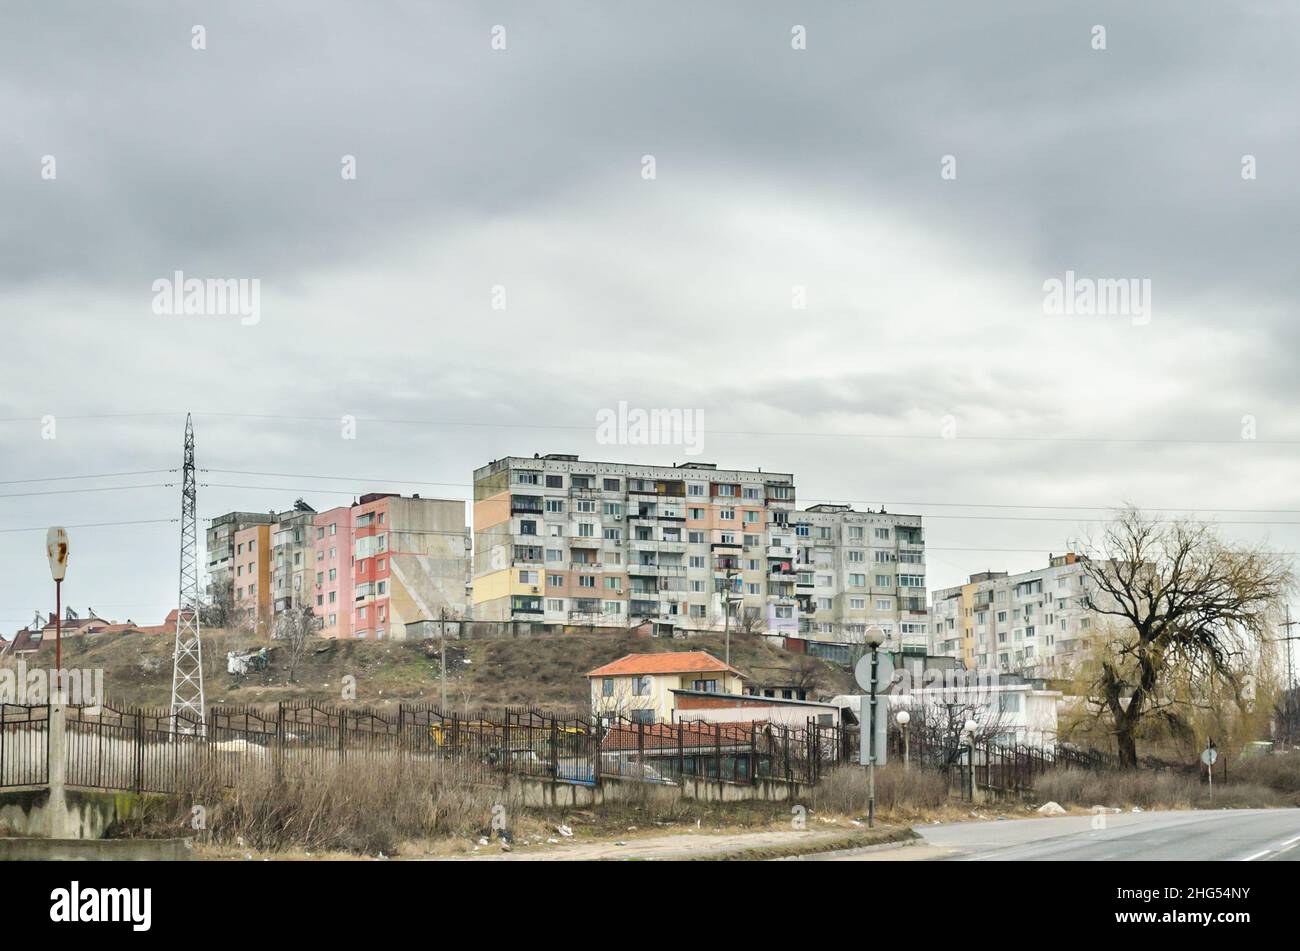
1177	600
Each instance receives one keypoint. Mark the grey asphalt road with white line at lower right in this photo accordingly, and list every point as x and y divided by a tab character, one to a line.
1193	836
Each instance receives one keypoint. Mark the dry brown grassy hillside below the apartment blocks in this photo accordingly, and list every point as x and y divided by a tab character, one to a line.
545	672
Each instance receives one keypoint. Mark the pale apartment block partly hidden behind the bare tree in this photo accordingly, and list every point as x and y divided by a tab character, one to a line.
1033	623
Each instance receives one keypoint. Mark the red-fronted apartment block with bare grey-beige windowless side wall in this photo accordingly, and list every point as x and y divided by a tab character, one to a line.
410	562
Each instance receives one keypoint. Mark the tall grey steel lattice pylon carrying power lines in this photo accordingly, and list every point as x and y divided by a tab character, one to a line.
188	709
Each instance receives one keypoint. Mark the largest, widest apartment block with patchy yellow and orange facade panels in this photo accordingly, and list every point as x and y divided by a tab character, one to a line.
565	541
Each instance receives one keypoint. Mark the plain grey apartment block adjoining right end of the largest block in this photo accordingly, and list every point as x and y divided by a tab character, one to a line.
860	571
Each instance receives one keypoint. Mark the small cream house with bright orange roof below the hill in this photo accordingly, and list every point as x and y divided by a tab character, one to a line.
640	687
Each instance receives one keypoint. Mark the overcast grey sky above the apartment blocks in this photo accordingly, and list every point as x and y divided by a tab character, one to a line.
523	168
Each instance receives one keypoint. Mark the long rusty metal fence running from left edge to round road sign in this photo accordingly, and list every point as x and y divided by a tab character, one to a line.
146	750
